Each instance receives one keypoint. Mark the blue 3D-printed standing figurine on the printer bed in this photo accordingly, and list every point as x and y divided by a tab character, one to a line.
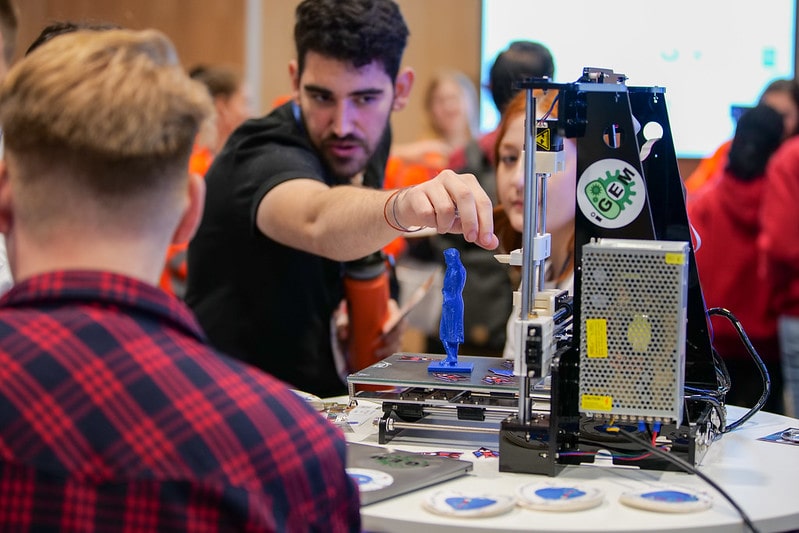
451	329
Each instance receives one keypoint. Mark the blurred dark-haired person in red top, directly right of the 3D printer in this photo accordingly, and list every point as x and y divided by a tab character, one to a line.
725	215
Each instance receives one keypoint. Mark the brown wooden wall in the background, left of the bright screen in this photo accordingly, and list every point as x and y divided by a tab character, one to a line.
444	33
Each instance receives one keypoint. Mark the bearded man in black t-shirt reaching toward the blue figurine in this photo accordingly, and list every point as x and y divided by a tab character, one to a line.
296	194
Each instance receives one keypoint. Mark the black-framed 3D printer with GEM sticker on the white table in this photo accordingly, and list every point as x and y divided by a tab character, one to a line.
627	359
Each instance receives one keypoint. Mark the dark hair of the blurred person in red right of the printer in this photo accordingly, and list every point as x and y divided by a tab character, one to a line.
757	135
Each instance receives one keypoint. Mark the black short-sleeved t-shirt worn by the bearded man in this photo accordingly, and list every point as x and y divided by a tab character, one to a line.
260	301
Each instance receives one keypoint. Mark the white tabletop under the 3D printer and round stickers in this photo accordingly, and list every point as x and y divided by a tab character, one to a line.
762	477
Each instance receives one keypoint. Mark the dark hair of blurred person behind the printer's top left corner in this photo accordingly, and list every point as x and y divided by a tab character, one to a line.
522	59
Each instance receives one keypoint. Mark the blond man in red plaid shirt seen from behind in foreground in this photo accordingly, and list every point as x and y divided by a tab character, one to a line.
116	415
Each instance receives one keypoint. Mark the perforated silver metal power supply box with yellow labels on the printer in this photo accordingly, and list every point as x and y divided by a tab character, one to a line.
632	329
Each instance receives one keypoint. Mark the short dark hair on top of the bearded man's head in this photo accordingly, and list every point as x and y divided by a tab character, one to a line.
355	31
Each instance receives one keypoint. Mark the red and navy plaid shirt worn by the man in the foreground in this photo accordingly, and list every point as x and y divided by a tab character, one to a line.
115	415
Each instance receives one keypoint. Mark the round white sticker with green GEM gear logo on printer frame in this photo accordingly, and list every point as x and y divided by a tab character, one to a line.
611	193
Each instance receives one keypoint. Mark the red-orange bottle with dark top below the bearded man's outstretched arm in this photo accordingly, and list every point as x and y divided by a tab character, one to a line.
366	288
